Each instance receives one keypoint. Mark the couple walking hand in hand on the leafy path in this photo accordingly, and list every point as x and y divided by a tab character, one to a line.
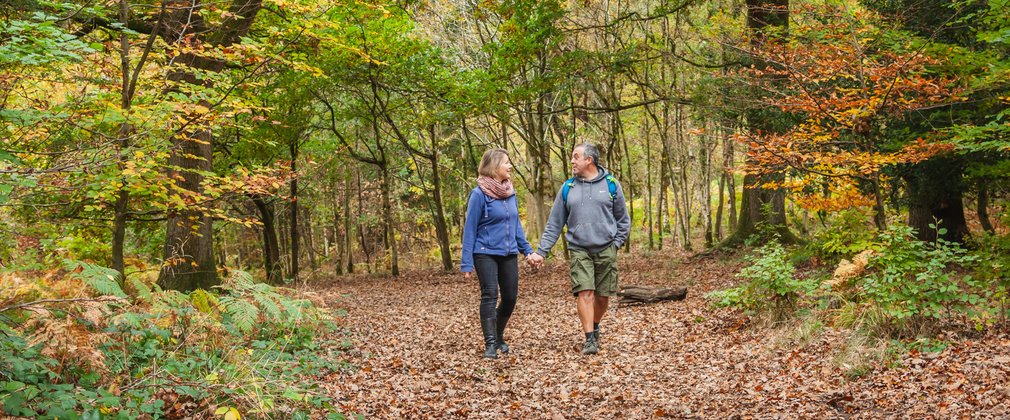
591	204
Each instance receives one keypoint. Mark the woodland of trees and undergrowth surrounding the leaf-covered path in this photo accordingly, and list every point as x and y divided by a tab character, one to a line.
172	171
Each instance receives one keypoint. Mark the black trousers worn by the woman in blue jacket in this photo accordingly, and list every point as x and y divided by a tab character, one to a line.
494	273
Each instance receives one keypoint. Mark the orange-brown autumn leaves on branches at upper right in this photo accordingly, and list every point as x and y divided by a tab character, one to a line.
843	79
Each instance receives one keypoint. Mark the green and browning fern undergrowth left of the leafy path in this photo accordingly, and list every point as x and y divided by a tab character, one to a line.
134	351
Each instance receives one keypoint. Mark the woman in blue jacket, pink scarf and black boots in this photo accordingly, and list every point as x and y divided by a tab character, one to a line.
492	241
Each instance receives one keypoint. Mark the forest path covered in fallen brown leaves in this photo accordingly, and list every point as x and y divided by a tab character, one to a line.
419	351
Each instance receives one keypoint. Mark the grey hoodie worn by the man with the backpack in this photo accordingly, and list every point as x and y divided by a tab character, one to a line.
594	221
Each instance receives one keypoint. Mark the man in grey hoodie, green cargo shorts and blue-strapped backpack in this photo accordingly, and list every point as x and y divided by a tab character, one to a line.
592	205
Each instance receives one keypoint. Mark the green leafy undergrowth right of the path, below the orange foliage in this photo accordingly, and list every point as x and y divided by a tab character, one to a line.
889	293
